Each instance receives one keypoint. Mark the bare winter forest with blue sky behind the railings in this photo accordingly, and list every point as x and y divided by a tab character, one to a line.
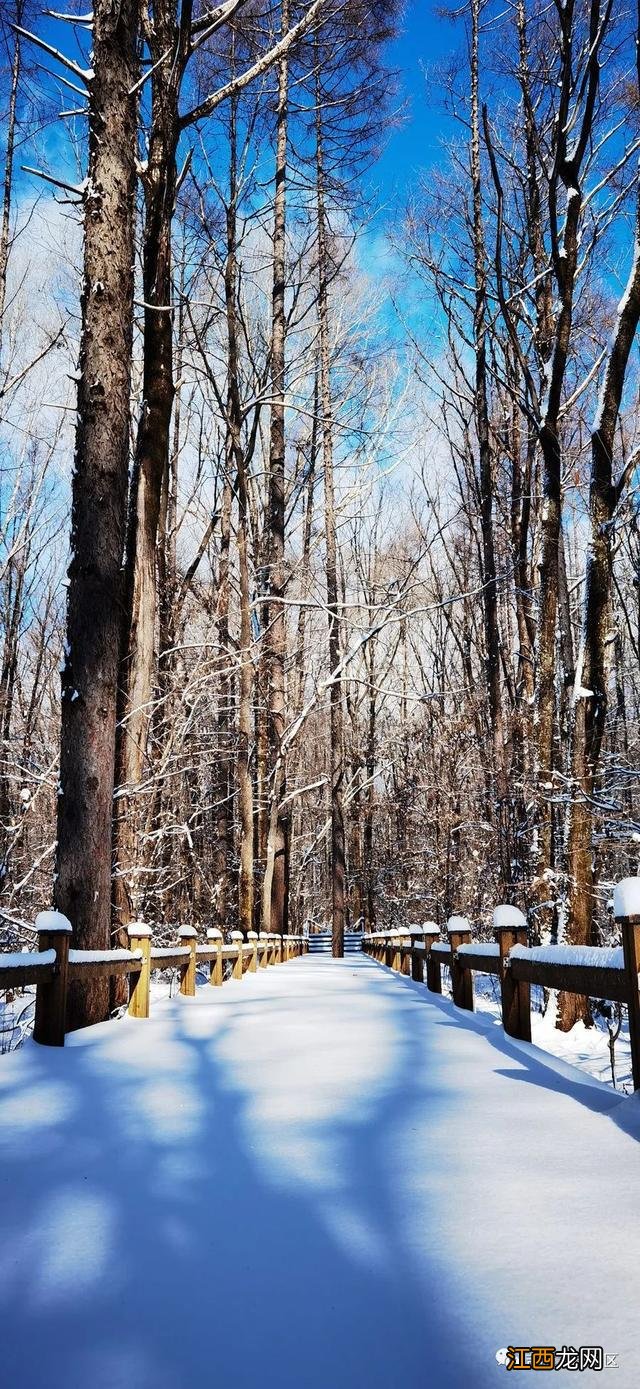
320	558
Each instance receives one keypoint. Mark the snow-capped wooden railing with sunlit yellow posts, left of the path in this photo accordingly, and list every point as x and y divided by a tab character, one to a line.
53	966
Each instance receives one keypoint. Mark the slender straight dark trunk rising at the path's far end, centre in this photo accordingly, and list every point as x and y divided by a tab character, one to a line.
338	867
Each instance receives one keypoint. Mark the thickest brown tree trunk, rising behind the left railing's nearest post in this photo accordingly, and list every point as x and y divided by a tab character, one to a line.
99	502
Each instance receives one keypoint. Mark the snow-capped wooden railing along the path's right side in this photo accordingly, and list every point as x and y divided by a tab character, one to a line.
596	972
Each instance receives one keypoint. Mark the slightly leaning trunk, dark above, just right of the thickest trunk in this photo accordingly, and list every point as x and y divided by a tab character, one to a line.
152	460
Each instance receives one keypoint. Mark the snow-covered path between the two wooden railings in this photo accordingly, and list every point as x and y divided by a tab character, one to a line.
319	1179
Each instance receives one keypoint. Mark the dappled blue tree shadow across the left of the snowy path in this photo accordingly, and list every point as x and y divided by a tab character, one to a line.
174	1219
